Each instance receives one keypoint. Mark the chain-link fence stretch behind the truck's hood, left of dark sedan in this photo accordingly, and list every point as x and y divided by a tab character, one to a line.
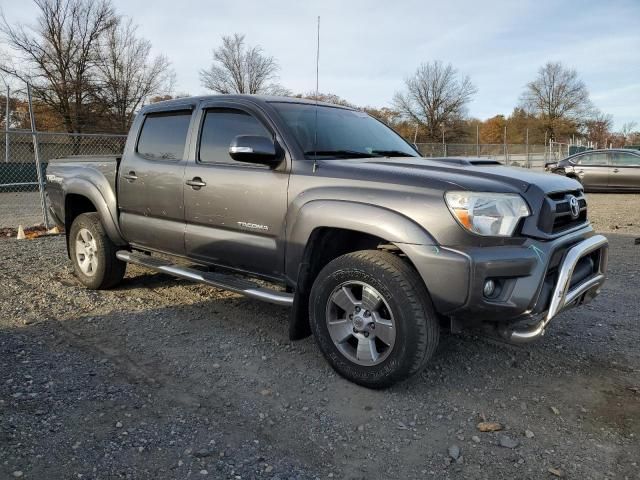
516	155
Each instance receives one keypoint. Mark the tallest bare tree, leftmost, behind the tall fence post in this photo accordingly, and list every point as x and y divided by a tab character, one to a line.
58	55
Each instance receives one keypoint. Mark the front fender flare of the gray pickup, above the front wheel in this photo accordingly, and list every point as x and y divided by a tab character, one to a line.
348	215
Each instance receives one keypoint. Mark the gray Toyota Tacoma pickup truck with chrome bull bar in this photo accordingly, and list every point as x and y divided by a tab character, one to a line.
325	209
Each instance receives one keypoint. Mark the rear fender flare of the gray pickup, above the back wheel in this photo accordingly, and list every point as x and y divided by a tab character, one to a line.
106	207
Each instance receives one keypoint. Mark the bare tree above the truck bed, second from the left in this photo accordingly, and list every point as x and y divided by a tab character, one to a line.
127	73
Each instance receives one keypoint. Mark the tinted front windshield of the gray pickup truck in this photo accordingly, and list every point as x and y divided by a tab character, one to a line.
341	133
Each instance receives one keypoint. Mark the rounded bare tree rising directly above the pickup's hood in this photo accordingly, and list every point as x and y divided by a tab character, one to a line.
435	98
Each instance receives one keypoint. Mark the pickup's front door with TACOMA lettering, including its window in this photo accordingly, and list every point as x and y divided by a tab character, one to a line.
234	211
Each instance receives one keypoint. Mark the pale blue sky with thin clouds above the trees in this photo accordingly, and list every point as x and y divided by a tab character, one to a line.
368	48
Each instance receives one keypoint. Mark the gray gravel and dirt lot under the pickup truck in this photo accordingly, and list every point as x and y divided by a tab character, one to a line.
161	378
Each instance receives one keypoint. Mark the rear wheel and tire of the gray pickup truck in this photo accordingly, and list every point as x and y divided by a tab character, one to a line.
94	254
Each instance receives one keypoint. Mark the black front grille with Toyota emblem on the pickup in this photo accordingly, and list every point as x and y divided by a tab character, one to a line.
556	215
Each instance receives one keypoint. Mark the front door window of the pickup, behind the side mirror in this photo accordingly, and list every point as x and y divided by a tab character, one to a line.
220	127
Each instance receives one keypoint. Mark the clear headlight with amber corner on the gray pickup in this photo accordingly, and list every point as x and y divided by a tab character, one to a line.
486	213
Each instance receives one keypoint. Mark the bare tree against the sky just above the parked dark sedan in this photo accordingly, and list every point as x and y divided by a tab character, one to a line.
557	96
